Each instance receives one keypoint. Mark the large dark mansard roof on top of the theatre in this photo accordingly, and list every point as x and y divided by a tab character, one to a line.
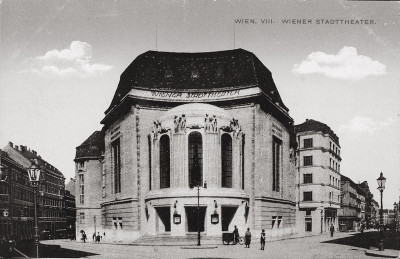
171	71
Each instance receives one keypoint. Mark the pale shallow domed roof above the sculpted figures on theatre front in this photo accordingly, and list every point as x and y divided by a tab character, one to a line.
194	109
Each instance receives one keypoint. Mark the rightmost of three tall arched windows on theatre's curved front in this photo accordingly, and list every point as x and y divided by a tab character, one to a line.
226	157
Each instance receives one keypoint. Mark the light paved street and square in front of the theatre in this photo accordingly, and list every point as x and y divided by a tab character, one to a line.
321	246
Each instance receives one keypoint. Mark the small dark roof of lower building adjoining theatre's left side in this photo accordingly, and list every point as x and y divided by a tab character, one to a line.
92	147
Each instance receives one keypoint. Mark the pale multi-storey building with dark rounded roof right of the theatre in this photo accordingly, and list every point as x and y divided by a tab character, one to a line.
318	177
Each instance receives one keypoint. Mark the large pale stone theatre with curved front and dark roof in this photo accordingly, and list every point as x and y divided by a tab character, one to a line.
188	127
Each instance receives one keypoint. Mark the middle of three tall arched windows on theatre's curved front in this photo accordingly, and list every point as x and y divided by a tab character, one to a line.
195	159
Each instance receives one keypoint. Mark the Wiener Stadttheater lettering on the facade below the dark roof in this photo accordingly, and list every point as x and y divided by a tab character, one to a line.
197	95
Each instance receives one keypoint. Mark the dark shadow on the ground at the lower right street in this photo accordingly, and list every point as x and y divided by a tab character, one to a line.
369	239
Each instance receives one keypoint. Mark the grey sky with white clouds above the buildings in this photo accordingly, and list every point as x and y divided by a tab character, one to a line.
337	62
